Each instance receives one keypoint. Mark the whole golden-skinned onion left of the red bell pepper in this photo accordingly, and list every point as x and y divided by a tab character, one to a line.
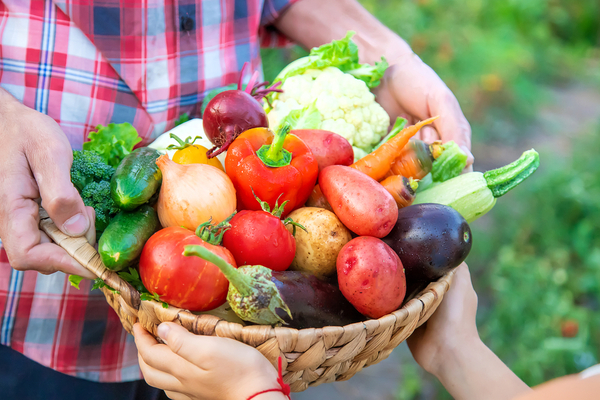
192	194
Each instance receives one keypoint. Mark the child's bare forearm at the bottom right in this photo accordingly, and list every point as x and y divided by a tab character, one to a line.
474	372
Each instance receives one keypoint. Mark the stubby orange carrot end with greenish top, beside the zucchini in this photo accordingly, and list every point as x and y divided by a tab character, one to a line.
416	159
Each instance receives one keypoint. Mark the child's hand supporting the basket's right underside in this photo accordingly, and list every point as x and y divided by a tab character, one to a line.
451	327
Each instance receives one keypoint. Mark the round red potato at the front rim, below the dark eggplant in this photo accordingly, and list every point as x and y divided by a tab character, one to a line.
371	276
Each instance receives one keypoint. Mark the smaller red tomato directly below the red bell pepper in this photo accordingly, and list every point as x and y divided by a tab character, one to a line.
260	238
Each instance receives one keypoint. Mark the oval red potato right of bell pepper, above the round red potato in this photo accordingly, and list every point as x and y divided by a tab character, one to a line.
360	202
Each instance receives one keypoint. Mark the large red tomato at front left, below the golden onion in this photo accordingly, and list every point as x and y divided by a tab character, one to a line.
186	282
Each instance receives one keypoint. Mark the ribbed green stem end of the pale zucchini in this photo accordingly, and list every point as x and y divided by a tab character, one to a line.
503	179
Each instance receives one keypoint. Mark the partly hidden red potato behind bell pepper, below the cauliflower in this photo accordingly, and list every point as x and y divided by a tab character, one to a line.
328	148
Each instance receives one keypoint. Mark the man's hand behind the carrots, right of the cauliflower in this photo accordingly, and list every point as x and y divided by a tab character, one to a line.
410	88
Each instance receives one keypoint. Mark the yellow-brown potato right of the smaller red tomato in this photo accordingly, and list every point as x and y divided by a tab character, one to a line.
317	249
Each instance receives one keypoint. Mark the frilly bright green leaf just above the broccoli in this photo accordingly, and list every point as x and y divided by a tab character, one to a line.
113	142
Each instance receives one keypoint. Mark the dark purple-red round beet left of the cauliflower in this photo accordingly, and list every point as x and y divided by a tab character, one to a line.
229	114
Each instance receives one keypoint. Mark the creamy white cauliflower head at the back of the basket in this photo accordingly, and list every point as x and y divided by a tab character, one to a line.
346	105
